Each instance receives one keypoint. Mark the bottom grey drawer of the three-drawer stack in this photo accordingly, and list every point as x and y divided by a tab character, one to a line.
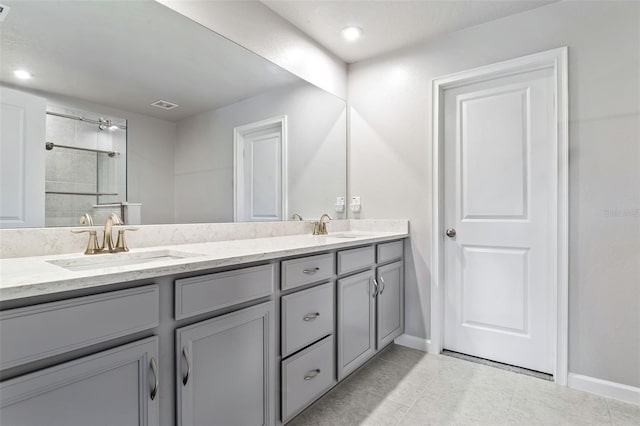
306	376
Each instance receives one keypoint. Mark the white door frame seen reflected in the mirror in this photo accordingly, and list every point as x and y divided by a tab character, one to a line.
238	174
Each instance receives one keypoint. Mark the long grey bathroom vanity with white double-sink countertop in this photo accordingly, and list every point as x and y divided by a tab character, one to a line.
245	332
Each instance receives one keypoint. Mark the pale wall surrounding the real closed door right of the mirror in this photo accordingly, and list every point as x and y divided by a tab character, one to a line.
390	124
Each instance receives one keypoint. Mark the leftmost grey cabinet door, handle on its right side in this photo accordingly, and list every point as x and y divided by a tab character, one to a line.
117	387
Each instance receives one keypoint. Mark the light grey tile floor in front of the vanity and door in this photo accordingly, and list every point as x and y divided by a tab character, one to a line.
402	386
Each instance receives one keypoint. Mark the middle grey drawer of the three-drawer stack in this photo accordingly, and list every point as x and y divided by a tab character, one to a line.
306	317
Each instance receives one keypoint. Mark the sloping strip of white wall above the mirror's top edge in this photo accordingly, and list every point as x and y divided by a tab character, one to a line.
254	26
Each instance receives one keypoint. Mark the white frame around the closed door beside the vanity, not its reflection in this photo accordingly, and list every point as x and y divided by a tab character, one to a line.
557	59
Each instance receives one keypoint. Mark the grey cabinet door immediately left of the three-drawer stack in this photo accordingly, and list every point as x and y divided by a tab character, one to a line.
225	370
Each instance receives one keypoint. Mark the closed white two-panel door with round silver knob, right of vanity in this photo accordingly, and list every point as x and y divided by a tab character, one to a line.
501	199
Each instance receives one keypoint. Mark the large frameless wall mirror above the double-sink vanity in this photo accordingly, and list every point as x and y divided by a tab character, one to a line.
132	107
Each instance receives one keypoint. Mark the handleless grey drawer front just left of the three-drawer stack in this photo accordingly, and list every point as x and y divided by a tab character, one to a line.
208	293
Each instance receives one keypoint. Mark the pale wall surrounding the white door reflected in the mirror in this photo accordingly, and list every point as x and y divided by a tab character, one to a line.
316	153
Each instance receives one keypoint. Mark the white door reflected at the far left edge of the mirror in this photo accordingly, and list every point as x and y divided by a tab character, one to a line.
22	139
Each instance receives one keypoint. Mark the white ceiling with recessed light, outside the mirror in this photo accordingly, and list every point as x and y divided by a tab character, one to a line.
392	24
